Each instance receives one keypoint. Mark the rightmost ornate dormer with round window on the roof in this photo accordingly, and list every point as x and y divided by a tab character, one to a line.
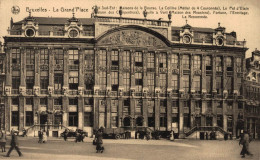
219	37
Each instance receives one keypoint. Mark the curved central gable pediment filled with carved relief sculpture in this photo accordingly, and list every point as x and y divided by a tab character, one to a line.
131	37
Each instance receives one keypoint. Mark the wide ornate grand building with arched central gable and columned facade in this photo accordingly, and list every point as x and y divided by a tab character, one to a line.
122	72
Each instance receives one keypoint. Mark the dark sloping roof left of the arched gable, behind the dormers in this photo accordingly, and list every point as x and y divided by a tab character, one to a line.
58	21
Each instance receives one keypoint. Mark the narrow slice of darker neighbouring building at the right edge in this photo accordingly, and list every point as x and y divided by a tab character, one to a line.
252	94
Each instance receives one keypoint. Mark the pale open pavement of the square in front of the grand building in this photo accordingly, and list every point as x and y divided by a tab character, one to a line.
133	149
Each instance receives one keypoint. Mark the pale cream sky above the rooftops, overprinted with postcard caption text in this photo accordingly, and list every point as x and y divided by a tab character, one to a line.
246	26
